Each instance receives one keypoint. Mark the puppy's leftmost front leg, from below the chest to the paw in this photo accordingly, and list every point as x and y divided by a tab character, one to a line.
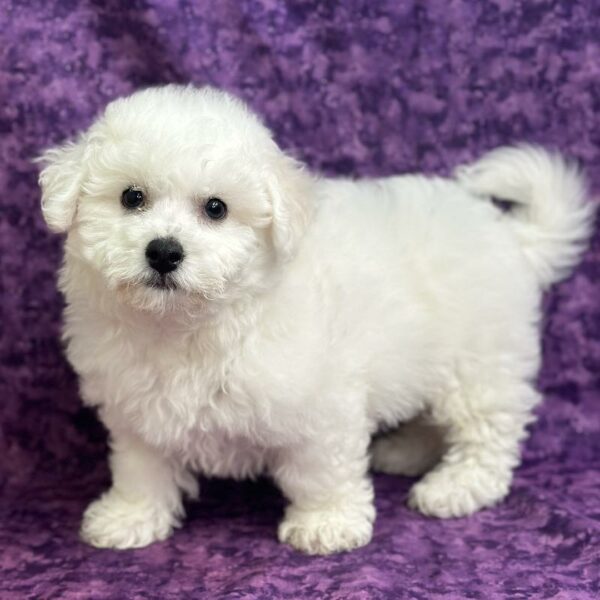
143	504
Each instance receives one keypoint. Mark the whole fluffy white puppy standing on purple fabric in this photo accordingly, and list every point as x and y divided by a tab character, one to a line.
232	314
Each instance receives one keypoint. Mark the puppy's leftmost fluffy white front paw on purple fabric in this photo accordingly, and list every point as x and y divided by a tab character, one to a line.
114	522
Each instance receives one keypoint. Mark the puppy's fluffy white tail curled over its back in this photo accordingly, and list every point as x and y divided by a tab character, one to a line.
548	209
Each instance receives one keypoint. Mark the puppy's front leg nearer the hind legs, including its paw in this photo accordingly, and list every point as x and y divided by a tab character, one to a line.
331	496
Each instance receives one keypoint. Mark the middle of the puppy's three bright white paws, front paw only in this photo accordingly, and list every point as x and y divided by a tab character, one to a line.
335	529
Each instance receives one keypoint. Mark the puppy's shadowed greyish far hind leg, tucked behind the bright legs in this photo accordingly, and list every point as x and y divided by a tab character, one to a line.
412	449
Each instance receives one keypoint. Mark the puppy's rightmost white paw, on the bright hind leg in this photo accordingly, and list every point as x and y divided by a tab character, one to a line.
458	490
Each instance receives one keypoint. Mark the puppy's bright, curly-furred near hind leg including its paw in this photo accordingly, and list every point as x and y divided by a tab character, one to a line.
486	420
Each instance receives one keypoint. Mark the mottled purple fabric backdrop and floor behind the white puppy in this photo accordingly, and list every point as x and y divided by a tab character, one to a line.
368	88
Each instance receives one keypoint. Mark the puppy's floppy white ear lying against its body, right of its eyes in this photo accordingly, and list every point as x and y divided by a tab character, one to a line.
291	191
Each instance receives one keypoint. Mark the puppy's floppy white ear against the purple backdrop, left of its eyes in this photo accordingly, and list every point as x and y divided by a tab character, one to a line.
61	181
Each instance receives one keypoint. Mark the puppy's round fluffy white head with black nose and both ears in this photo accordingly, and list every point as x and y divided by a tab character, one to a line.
177	195
